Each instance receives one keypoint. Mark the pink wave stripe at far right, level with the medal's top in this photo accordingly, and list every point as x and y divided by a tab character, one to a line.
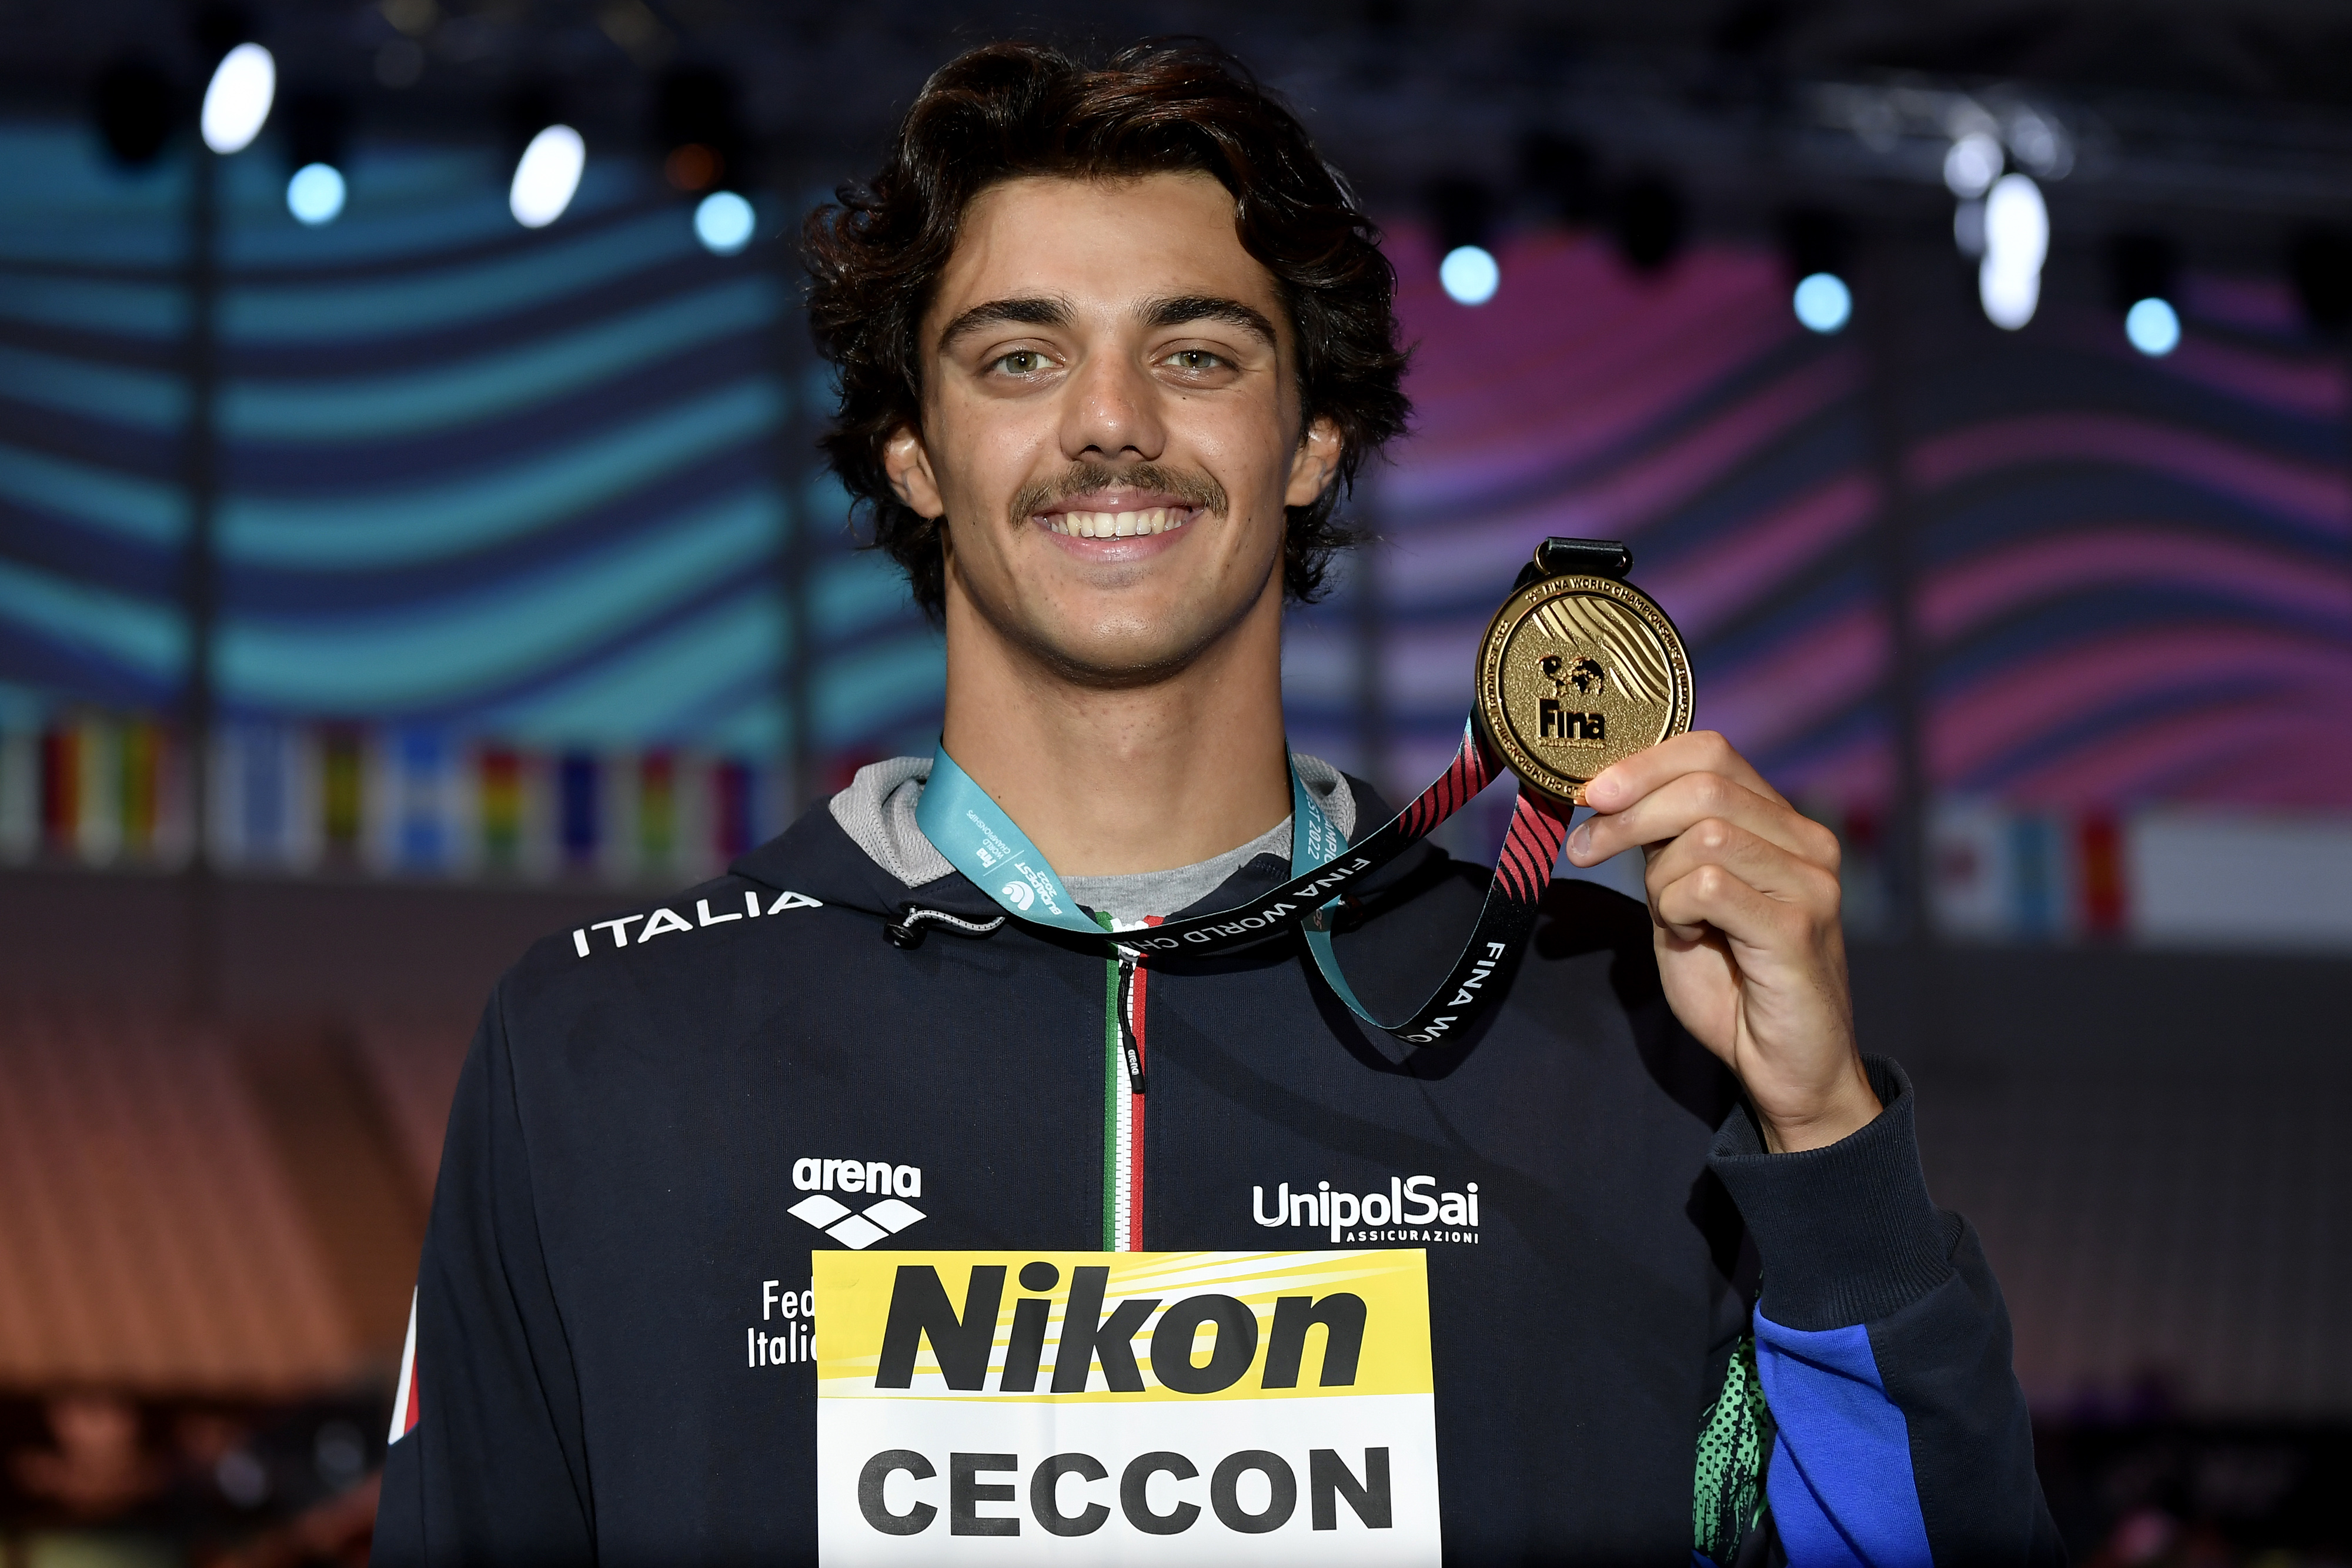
1986	587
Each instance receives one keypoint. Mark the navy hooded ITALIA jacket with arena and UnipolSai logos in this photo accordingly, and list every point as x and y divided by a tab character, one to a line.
1636	1313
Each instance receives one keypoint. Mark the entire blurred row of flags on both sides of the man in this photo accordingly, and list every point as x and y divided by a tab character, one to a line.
406	800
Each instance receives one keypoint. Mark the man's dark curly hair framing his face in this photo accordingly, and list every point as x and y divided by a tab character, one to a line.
1005	112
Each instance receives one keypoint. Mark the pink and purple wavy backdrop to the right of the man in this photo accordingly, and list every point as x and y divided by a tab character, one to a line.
2134	579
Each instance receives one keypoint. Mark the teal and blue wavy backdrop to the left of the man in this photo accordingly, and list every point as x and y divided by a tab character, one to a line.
523	485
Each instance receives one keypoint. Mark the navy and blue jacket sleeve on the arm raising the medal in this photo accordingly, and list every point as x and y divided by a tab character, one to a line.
1883	1348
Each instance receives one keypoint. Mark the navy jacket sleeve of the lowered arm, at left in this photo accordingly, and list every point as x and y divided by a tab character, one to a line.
490	1466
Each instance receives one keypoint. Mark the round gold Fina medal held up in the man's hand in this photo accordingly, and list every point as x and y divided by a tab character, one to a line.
1579	671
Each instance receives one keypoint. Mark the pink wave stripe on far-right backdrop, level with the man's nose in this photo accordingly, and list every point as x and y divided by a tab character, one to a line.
2318	497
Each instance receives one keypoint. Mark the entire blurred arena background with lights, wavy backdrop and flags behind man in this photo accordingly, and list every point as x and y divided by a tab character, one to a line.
413	542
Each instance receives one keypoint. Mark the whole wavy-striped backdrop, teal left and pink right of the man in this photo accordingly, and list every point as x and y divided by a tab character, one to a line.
540	488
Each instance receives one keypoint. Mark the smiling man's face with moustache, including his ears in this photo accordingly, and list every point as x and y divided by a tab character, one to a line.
1109	424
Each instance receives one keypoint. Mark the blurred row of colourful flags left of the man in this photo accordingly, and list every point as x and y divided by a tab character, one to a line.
394	800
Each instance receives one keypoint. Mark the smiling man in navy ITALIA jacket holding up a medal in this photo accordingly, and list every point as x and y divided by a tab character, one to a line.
1111	344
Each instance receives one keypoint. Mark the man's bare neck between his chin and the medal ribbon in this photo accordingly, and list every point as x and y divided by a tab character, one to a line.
1125	779
